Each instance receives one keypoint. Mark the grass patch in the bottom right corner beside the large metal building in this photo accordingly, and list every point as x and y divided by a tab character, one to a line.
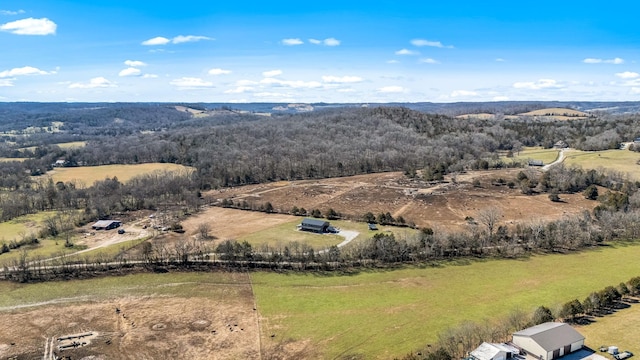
617	329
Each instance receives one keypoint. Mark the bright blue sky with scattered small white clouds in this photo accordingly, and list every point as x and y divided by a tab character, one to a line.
333	51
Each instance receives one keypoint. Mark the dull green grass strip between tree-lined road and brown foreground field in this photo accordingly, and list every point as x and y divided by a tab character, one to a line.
184	285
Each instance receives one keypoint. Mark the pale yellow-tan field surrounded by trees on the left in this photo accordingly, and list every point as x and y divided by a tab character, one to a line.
89	174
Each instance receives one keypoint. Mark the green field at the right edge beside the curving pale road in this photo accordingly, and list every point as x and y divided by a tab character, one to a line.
614	160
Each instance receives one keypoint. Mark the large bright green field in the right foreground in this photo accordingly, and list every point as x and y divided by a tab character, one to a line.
384	314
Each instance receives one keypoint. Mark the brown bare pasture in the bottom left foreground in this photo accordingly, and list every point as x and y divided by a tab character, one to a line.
146	328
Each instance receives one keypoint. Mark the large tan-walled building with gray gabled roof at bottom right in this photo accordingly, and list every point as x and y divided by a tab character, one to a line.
549	341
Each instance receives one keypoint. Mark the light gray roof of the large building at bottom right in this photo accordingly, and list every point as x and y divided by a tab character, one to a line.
551	335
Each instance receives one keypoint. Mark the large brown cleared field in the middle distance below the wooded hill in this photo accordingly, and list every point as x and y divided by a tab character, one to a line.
444	205
